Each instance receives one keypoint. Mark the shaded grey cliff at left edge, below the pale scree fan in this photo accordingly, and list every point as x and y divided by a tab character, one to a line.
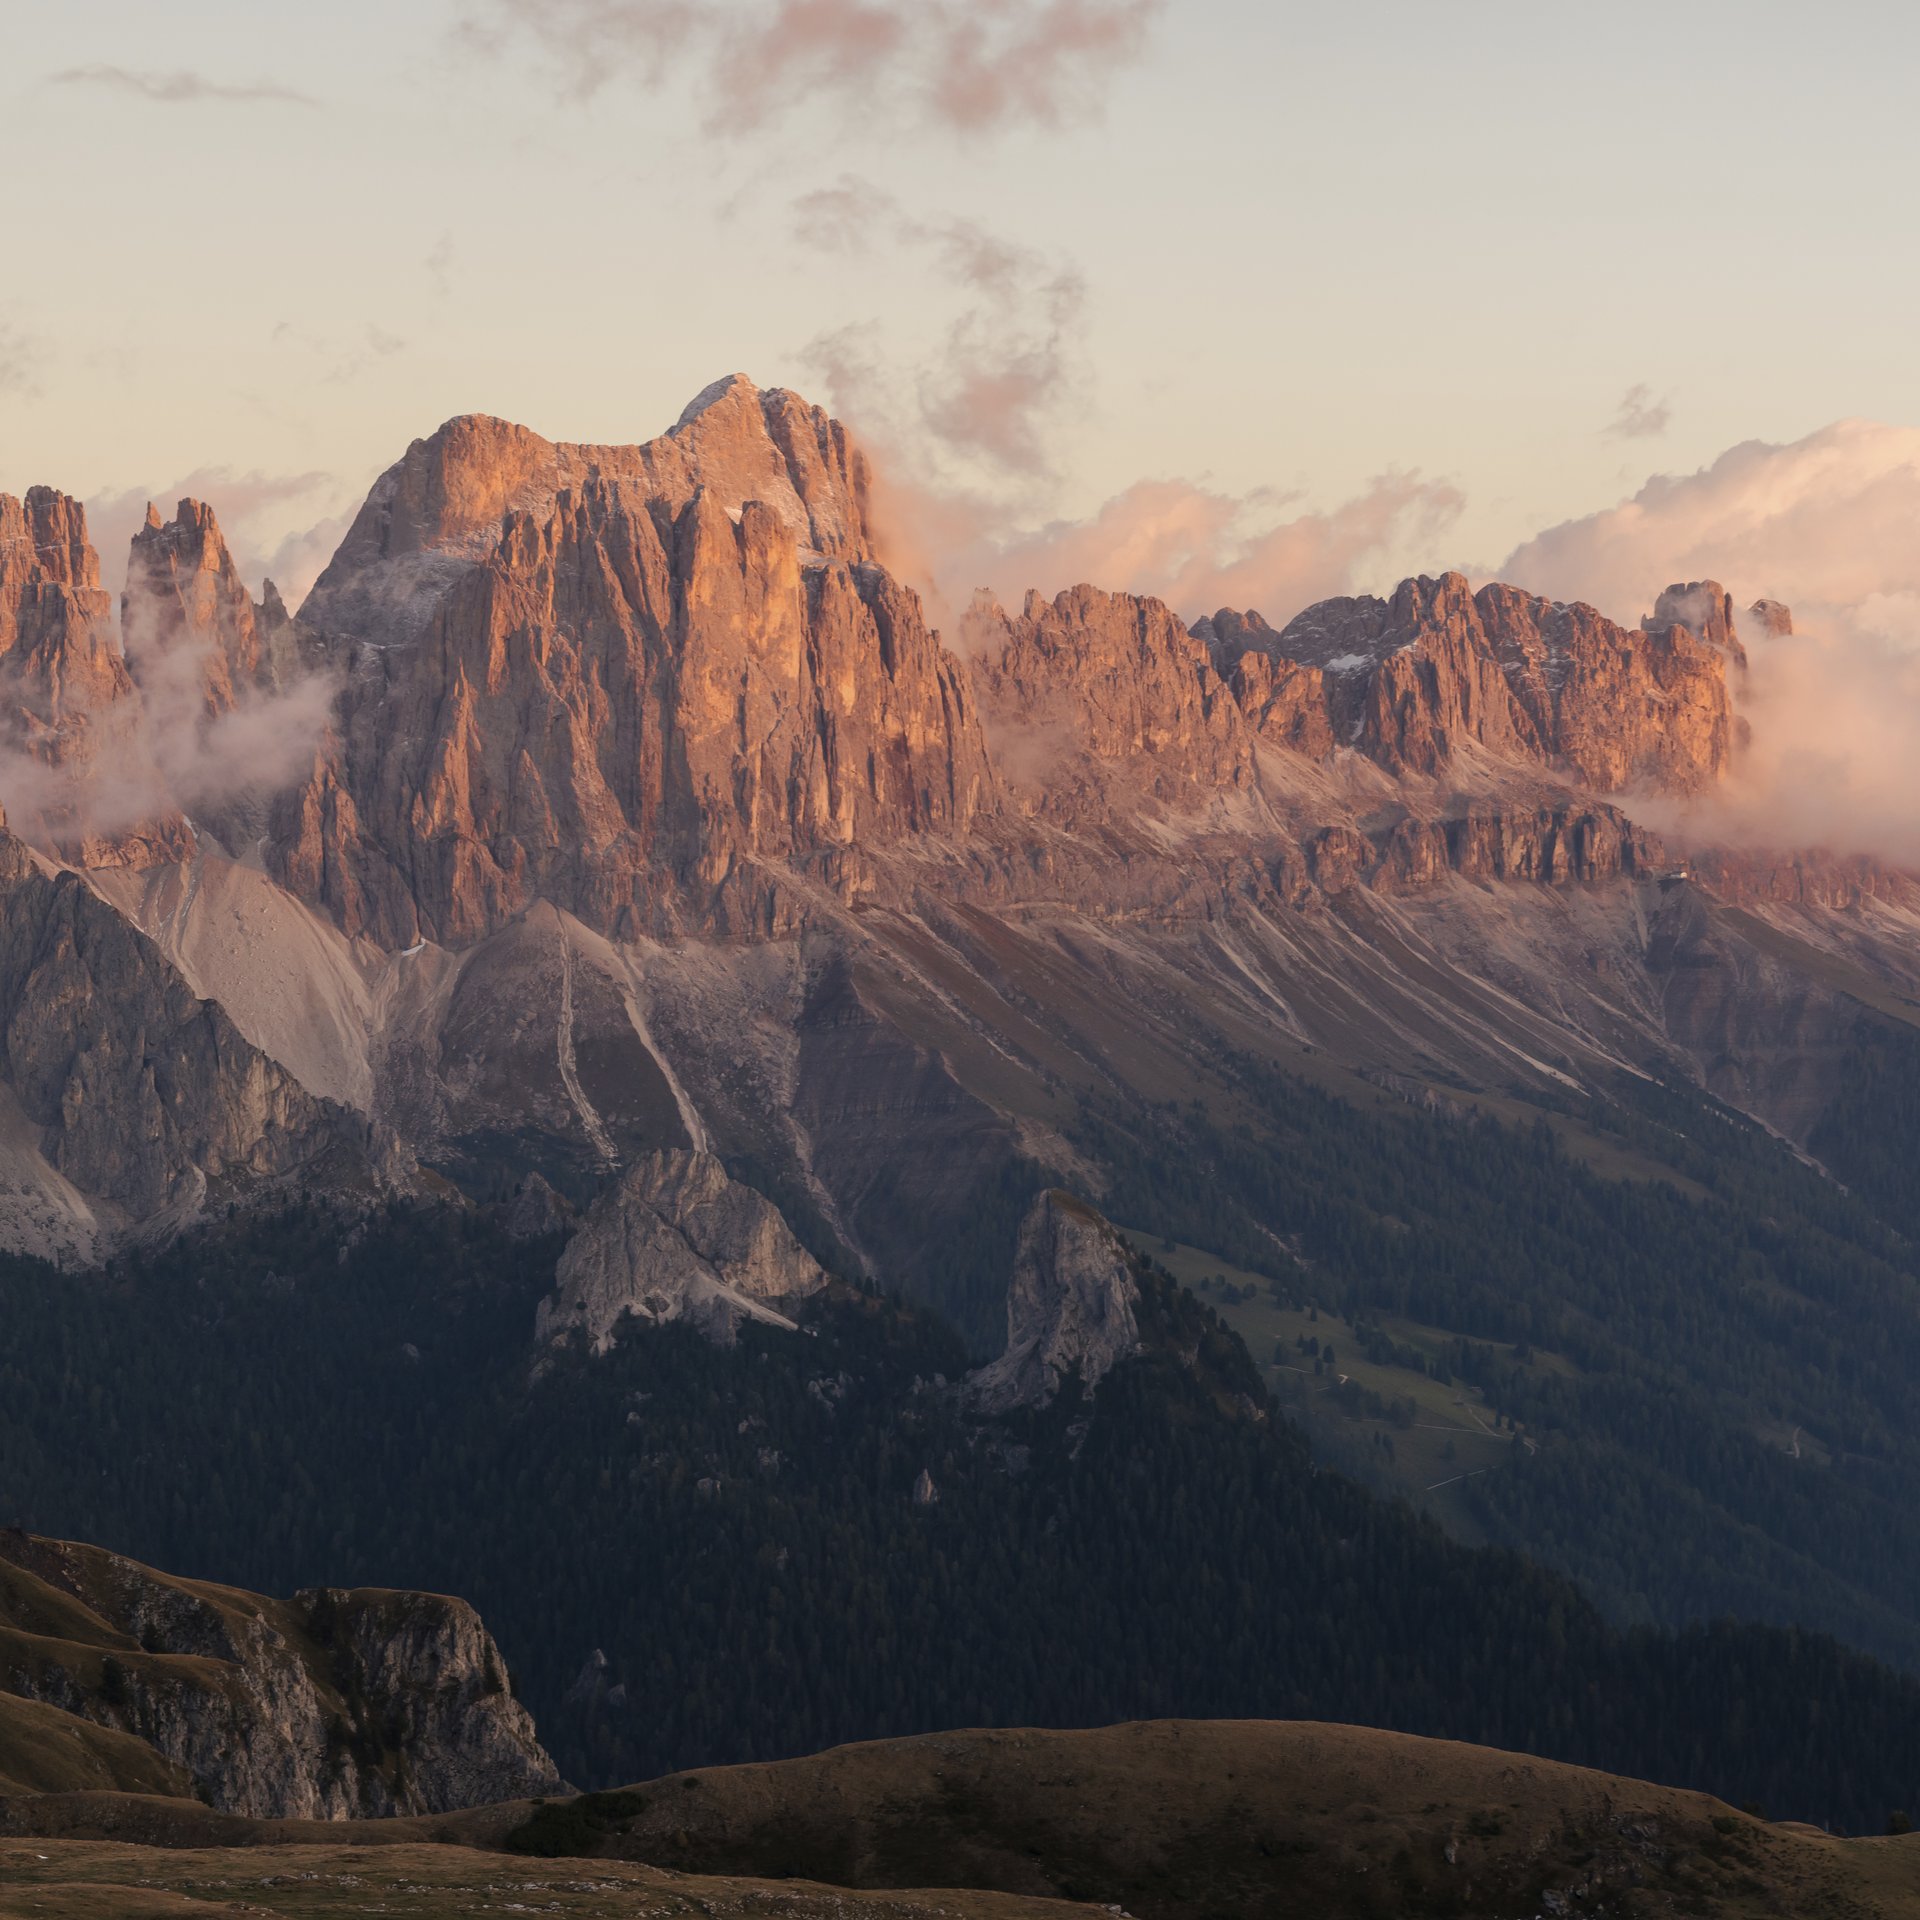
116	1076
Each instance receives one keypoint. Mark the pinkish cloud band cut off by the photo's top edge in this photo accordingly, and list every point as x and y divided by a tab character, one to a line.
969	66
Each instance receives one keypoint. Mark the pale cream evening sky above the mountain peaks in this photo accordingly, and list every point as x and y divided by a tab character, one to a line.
1243	247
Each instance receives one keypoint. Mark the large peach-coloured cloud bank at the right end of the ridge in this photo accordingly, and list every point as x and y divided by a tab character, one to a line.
1827	525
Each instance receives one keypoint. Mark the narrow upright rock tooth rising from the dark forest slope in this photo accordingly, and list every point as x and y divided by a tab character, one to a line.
1070	1308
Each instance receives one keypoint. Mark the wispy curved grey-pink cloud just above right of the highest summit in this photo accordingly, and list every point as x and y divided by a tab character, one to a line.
988	404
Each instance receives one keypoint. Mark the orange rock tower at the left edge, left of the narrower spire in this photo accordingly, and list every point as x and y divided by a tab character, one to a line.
68	706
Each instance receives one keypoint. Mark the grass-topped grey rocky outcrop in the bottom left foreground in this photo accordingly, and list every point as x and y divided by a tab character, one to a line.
325	1706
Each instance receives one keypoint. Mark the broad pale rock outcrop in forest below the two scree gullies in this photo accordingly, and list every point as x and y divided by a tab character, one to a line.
677	1239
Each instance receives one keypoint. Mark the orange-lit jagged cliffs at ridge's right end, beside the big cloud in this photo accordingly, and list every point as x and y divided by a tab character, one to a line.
1416	679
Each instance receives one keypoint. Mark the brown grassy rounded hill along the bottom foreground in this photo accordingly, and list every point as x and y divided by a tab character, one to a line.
1163	1821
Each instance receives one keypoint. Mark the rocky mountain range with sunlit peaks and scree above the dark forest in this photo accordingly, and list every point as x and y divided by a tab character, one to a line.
652	815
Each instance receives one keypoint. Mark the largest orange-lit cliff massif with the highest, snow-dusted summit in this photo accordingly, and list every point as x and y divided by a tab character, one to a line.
636	683
